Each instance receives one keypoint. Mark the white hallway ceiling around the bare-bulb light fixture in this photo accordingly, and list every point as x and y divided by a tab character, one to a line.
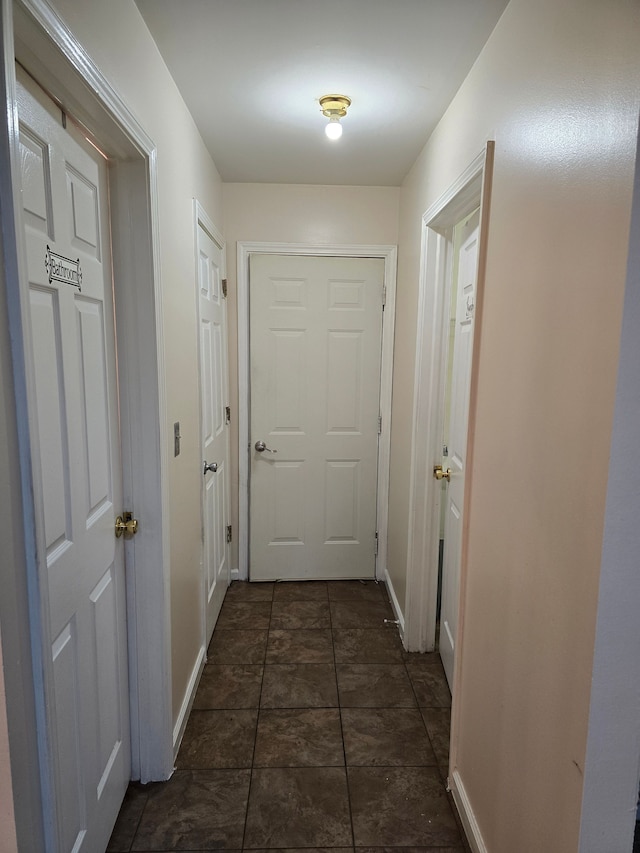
251	73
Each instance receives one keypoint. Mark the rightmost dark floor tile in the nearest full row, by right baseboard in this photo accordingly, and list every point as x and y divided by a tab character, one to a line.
401	807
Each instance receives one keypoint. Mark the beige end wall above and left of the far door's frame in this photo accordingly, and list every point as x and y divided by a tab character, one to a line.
294	213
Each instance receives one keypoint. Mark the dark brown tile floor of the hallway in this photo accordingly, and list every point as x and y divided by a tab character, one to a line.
311	728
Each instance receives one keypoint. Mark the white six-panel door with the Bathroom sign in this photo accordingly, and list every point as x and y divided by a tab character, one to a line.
76	431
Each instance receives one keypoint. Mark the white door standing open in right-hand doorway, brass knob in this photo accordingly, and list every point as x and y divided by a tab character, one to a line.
457	442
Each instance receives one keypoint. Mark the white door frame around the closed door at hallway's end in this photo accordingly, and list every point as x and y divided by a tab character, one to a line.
389	254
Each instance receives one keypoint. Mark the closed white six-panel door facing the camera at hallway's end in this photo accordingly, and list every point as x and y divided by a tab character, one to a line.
315	353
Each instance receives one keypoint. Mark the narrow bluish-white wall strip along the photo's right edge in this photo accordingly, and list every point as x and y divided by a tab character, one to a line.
612	763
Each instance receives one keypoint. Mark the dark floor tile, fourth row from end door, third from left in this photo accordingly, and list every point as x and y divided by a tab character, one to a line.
374	686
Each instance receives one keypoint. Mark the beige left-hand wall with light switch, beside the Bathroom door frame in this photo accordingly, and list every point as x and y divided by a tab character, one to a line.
117	39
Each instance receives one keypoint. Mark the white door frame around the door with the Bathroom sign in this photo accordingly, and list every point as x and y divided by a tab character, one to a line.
34	35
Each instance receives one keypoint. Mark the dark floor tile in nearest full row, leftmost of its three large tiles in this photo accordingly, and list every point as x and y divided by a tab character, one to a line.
195	810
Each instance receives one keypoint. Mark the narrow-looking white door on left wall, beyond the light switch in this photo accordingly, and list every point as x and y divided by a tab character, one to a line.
214	430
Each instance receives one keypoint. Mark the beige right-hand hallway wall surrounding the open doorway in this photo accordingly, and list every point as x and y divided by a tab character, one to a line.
558	88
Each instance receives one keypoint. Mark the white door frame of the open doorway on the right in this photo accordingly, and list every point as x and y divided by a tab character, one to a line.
463	196
